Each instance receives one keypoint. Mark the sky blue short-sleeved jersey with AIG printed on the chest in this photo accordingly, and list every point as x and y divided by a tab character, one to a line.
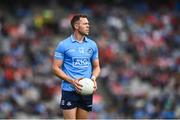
77	59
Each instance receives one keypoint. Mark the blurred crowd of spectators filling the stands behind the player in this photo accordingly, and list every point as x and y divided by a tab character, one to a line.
139	43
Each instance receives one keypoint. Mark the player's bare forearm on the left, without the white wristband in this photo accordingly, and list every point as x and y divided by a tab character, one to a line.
59	73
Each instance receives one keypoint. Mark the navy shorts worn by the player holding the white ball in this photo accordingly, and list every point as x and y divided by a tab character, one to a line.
71	99
